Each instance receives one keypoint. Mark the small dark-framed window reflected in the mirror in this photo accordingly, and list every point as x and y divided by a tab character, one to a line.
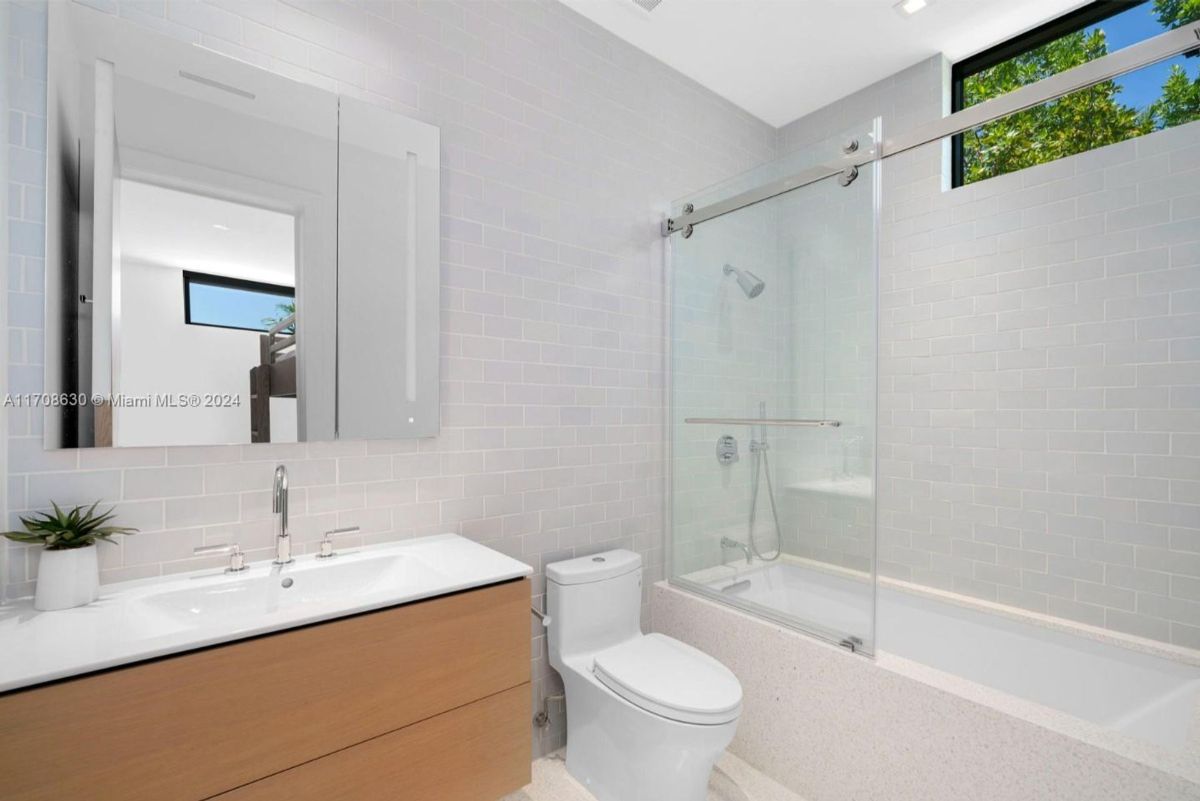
225	303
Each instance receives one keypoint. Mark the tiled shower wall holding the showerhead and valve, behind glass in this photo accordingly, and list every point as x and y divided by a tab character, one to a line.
724	365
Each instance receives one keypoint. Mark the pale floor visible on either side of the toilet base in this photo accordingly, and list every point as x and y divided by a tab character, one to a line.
733	781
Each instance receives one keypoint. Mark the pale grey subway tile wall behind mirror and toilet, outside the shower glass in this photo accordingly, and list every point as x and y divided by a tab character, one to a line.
561	148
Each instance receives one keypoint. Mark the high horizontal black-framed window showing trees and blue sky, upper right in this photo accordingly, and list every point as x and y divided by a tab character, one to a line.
1153	99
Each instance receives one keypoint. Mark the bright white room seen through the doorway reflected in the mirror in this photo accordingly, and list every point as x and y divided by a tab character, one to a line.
208	309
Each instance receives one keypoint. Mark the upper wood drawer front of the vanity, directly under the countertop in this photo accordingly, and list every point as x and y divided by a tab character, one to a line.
194	726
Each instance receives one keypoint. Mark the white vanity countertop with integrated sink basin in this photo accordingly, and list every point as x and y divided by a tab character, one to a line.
152	618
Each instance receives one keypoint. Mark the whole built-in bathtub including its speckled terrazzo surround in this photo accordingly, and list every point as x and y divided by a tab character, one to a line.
963	702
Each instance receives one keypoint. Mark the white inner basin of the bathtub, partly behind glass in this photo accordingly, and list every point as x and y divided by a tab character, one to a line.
1137	694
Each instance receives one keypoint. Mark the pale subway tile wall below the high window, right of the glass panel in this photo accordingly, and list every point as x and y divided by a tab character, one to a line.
1040	375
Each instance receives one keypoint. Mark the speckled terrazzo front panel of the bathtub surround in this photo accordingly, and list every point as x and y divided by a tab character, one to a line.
836	726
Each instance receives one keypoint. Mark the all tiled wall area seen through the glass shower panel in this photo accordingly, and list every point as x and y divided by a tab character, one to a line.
805	348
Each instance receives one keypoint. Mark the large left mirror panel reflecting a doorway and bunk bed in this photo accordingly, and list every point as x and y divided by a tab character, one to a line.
195	213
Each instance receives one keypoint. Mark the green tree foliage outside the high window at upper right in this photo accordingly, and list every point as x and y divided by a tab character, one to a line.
1081	122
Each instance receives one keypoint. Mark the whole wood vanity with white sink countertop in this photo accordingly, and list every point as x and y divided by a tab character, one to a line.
393	672
